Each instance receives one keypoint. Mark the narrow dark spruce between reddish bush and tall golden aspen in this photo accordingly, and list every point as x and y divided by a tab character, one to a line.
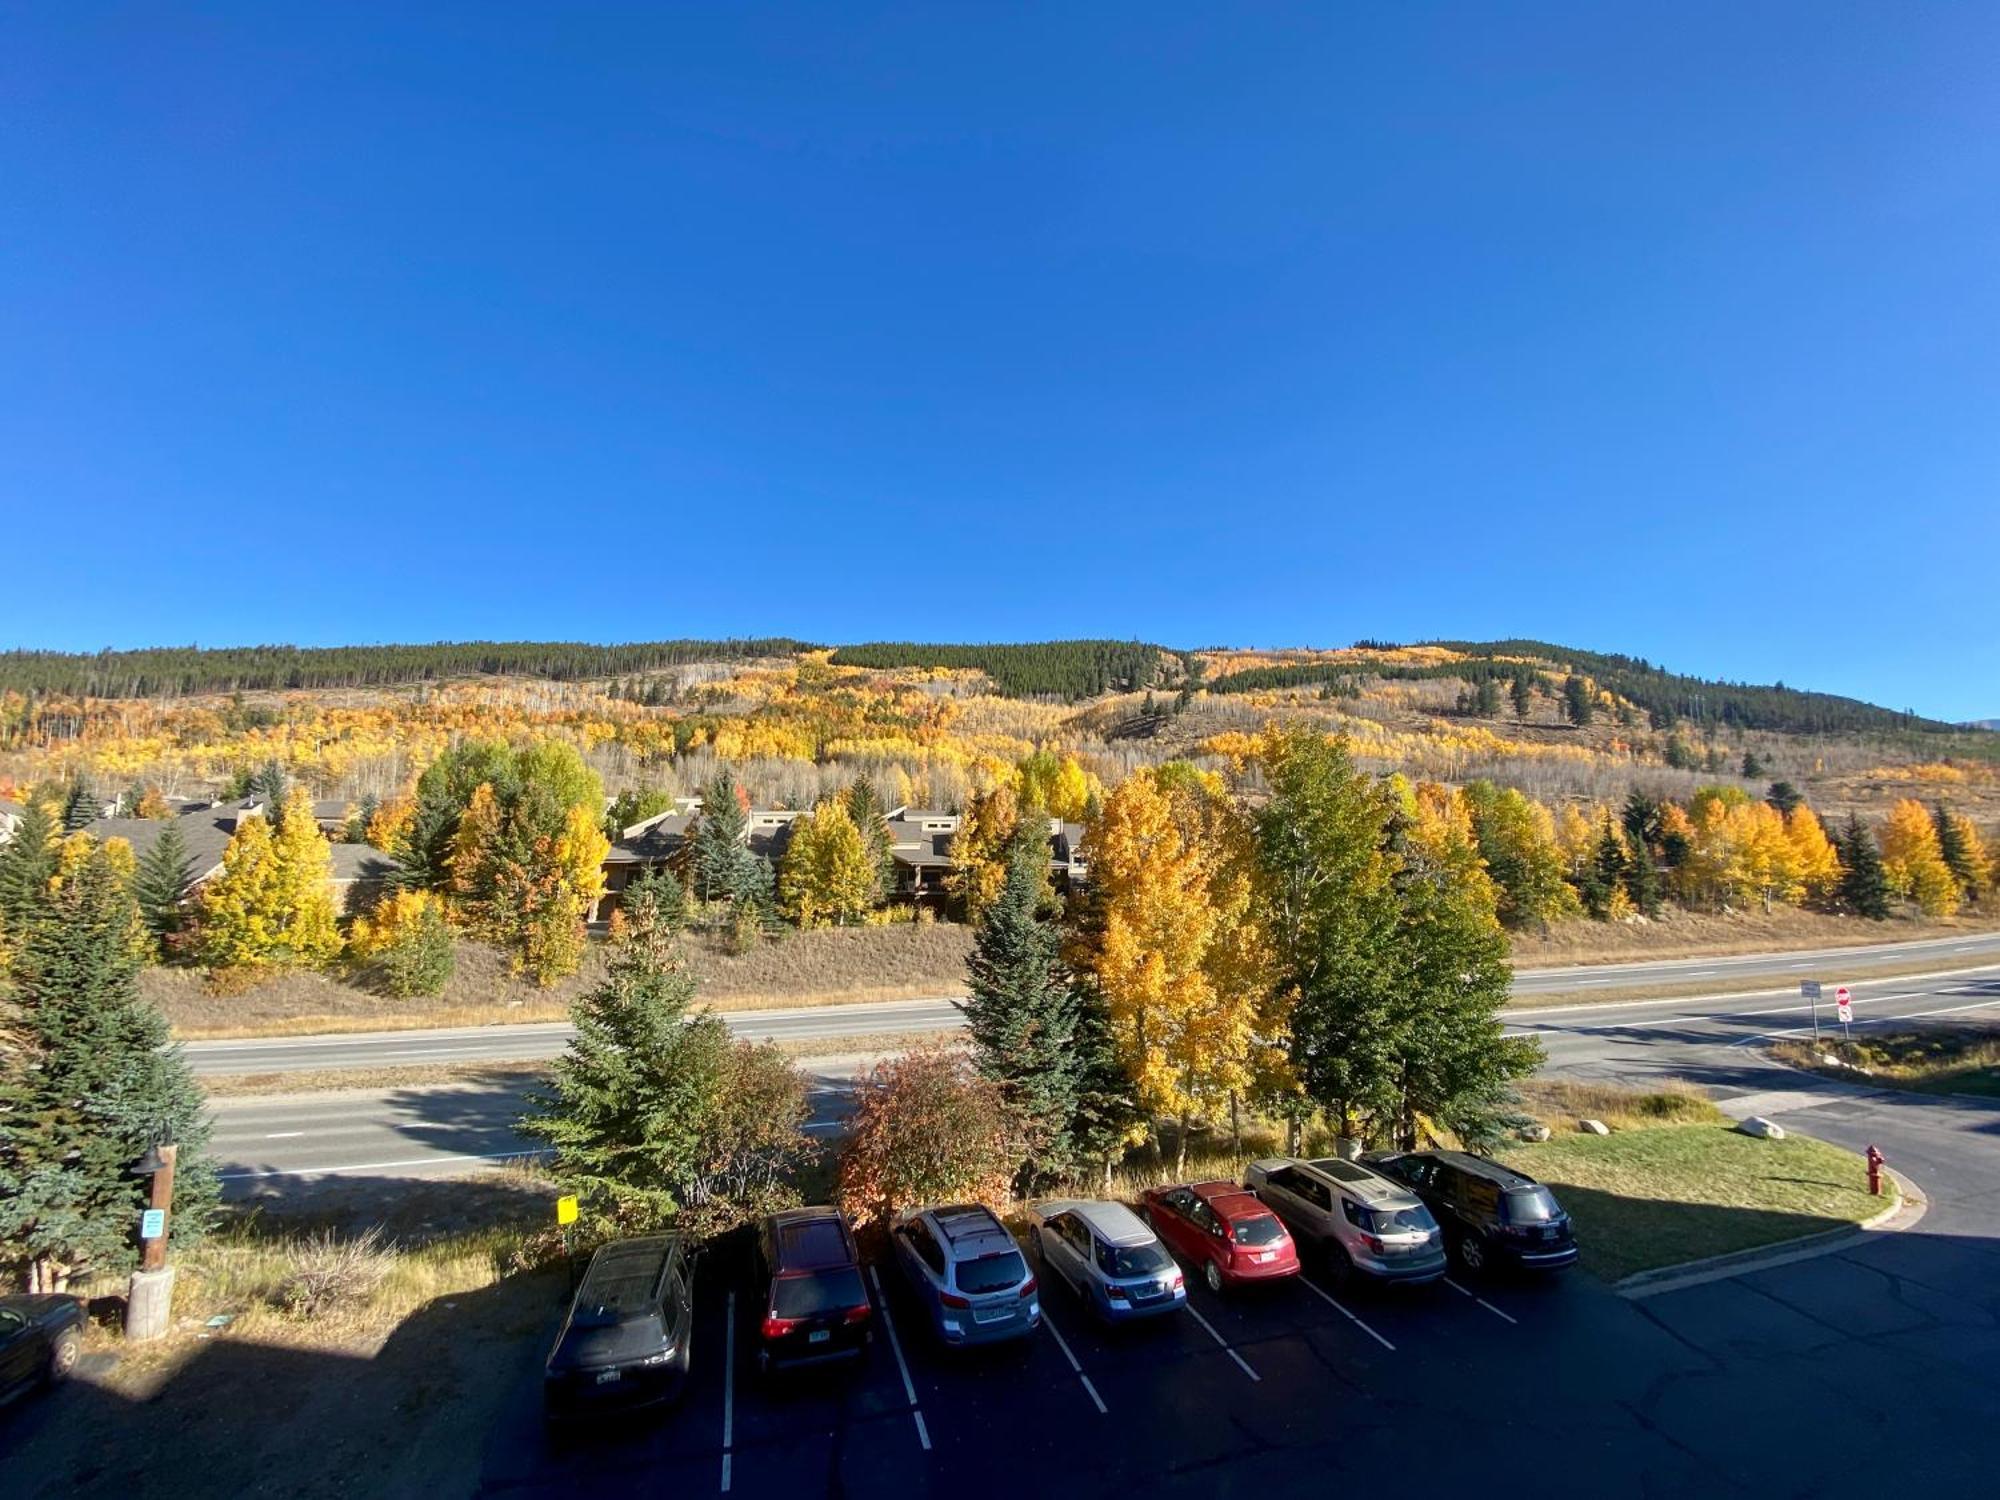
1021	1013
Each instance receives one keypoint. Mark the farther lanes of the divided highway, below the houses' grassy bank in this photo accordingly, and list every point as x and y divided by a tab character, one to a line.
805	1023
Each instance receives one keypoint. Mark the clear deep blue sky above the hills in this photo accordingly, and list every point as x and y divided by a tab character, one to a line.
1651	329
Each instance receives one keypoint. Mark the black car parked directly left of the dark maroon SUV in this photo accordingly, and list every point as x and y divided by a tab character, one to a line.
625	1343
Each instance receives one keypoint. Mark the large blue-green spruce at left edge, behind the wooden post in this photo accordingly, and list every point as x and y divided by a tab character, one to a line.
89	1079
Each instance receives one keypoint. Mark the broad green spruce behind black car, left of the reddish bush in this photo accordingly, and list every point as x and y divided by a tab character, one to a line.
631	1101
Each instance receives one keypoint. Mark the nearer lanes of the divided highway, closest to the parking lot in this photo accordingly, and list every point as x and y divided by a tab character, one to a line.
273	1141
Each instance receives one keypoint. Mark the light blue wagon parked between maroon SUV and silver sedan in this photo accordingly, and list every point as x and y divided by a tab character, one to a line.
969	1275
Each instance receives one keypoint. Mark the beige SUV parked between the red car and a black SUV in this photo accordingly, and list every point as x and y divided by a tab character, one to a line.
1353	1217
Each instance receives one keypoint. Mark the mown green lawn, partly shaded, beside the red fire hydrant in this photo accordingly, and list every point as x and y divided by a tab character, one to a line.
1645	1199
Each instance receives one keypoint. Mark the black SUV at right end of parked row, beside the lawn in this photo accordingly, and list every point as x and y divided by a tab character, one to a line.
1491	1215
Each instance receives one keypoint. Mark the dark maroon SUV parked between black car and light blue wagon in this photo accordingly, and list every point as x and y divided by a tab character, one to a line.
811	1279
